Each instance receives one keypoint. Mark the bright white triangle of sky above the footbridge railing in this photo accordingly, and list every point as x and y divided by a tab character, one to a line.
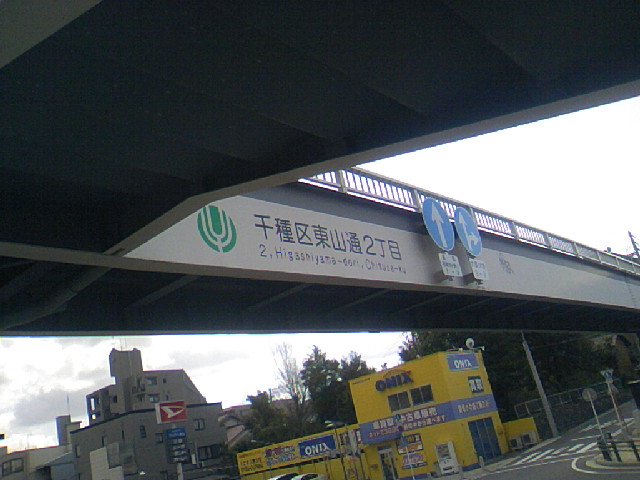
574	175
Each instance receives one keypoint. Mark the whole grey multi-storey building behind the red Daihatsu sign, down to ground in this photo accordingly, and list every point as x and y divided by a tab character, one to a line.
126	437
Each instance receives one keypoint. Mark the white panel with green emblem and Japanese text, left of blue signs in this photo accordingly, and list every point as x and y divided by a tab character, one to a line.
253	234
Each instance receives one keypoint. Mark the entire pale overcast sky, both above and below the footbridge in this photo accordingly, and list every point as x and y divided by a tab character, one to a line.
574	175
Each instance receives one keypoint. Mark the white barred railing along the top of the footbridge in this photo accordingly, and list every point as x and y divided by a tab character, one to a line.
377	188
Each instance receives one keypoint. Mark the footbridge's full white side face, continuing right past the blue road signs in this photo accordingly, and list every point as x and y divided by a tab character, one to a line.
258	238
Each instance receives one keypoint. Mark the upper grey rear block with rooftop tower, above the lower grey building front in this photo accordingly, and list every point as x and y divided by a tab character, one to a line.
136	389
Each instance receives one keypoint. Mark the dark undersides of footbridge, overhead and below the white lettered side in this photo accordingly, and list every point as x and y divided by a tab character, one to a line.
119	117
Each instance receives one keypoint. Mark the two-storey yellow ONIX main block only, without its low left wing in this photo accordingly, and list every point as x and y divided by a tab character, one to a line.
436	413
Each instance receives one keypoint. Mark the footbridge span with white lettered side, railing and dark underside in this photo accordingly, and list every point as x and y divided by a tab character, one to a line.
342	251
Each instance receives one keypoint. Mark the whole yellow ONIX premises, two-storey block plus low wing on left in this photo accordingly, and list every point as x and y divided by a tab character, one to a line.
435	414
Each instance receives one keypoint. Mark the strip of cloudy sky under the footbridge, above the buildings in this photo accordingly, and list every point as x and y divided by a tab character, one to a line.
38	374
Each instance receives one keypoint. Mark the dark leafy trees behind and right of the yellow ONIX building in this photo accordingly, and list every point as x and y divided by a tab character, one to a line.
564	361
